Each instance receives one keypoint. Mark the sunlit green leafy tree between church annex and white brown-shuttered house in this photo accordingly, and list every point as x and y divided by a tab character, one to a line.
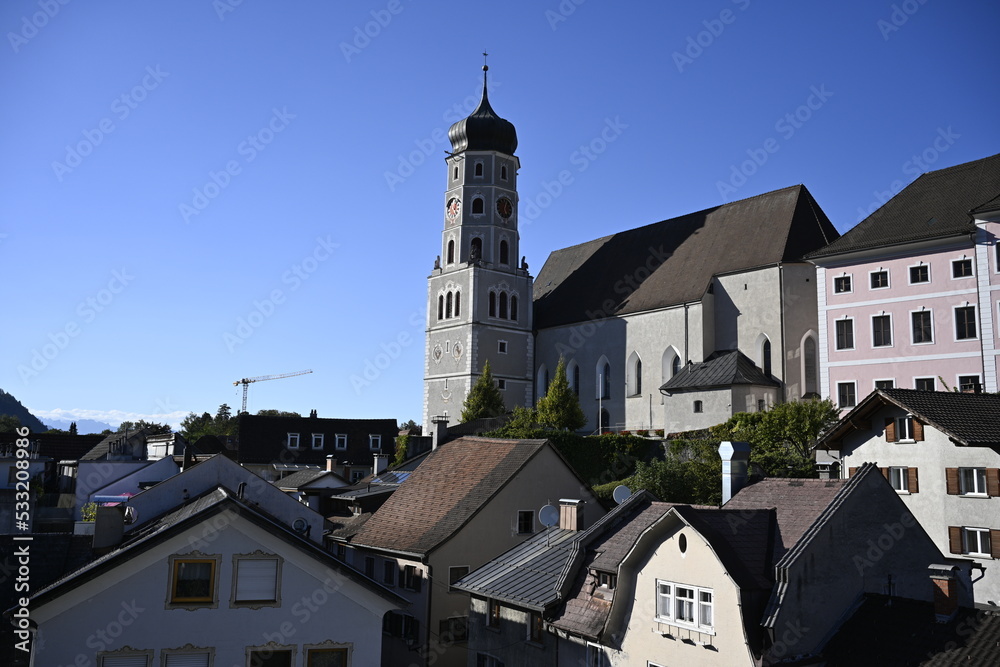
782	438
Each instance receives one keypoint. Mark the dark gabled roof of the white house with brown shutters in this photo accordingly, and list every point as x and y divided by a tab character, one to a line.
971	419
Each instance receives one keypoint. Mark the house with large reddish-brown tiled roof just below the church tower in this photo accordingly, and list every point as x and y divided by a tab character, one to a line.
469	500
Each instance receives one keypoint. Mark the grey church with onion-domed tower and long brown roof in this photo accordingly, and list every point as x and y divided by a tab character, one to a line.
672	326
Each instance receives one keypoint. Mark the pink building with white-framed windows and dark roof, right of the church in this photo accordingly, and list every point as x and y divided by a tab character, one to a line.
910	297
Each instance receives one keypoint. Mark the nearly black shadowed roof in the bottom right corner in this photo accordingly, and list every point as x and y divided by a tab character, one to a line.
905	634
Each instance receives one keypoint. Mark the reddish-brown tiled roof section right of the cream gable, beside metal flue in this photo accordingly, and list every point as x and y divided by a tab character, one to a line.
797	504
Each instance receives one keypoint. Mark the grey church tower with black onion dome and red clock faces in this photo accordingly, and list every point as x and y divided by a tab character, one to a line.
479	295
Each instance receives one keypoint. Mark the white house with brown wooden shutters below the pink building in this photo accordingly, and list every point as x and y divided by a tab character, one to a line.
940	451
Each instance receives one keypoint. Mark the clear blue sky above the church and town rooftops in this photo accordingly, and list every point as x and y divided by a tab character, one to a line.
195	192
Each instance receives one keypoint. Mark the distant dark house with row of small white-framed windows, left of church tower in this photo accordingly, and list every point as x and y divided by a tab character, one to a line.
274	446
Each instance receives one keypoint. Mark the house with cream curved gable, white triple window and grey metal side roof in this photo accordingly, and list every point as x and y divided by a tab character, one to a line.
769	576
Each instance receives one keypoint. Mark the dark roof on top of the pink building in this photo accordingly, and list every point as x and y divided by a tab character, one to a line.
935	205
